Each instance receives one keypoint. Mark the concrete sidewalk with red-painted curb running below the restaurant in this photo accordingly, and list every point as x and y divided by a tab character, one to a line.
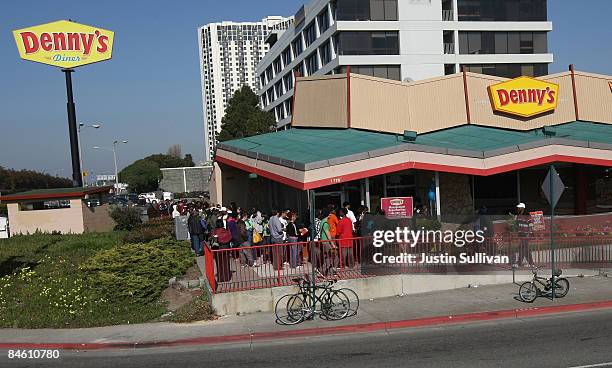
427	308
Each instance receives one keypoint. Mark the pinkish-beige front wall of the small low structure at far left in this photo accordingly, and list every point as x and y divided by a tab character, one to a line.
65	220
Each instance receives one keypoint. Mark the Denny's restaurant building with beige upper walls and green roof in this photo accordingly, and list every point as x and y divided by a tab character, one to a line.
455	144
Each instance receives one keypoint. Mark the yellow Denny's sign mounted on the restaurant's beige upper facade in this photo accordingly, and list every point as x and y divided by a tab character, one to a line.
524	96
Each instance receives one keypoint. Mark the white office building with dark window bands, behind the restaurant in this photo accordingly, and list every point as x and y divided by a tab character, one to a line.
404	40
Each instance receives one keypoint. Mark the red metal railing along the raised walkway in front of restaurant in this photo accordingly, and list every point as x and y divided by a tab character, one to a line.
233	269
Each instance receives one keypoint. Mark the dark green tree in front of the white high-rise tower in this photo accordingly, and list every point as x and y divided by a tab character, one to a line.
244	118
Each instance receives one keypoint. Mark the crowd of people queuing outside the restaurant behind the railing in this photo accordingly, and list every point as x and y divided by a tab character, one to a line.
235	228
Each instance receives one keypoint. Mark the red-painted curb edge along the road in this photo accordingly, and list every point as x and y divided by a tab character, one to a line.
322	331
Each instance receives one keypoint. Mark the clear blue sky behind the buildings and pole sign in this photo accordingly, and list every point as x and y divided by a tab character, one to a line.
149	93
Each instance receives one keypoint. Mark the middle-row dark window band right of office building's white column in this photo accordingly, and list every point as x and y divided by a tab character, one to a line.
502	42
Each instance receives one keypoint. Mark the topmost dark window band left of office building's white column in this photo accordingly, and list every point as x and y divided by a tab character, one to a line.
363	10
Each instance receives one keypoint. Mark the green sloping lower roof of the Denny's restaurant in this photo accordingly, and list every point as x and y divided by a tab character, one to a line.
303	147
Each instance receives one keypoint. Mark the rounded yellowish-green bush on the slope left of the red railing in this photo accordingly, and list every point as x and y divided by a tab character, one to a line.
137	273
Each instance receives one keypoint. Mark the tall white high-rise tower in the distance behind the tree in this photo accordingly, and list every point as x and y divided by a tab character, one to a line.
229	53
